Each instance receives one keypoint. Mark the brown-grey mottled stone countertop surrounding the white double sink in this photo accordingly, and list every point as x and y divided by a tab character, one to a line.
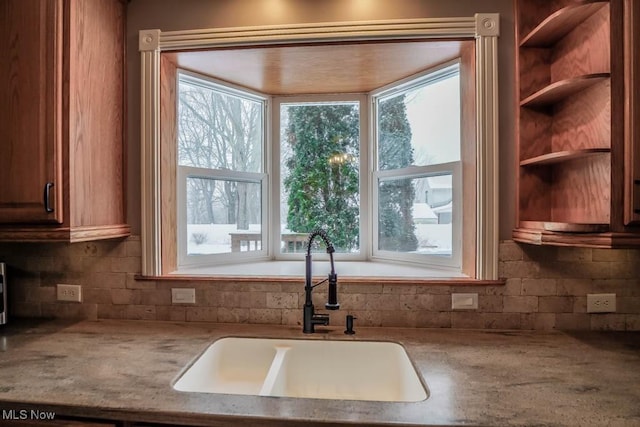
123	370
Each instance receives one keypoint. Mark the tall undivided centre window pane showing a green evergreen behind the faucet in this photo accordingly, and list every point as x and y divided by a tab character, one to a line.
320	172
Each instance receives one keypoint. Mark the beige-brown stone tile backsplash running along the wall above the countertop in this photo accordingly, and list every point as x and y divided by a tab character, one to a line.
545	289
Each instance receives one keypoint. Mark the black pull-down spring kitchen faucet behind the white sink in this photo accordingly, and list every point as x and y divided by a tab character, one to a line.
310	317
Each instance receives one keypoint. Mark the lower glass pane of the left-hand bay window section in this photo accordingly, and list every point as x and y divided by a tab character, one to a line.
223	216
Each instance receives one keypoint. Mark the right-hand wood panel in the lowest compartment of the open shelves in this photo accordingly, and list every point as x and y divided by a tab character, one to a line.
582	191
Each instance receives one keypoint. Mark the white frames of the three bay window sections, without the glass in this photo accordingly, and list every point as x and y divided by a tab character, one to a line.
369	176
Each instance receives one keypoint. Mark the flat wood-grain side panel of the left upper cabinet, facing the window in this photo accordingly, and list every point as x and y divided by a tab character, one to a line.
96	95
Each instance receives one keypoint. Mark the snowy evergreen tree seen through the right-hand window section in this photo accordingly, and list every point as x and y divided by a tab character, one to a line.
396	229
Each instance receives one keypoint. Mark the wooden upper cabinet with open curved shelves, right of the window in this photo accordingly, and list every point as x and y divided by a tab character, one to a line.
574	141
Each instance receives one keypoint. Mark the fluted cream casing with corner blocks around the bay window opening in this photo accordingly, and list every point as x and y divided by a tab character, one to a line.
484	28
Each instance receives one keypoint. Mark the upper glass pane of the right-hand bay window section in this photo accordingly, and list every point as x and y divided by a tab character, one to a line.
420	126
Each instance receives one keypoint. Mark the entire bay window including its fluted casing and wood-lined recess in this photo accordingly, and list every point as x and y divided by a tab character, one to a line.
243	155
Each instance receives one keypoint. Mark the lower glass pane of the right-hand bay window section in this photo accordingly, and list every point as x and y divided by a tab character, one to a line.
415	215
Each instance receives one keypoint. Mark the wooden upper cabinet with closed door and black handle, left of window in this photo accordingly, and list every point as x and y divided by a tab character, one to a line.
63	108
